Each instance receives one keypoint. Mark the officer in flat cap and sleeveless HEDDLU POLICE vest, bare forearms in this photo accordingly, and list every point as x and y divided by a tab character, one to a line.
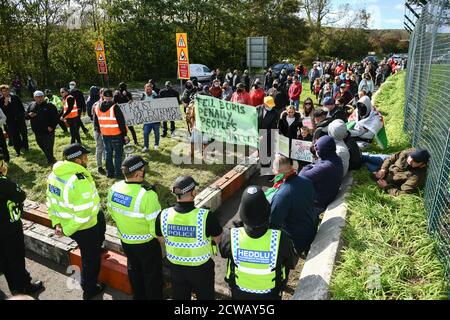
188	233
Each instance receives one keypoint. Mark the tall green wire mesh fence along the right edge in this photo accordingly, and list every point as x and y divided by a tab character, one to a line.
427	113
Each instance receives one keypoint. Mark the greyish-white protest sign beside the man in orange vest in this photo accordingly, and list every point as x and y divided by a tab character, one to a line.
161	109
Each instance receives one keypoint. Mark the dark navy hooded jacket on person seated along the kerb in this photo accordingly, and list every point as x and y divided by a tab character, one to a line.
325	174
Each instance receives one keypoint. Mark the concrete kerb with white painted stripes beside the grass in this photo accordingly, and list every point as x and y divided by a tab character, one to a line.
314	282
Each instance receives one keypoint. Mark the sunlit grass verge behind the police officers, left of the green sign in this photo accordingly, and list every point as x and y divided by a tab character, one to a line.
30	170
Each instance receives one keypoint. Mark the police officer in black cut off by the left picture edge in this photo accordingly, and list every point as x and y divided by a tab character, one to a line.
12	247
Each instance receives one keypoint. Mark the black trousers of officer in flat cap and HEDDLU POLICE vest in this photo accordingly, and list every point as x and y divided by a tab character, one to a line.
199	280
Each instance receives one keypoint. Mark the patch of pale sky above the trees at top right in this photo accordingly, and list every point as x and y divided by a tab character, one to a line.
385	14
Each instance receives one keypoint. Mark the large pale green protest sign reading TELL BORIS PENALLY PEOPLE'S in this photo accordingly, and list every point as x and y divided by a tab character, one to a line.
227	121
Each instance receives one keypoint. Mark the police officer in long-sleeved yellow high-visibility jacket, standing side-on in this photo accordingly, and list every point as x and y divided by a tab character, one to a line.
73	206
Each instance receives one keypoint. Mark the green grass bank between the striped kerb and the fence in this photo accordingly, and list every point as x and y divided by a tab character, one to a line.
387	252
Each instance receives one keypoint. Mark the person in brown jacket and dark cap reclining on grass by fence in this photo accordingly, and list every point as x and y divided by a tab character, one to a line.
401	173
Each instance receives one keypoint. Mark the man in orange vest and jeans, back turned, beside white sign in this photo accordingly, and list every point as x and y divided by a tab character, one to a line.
109	120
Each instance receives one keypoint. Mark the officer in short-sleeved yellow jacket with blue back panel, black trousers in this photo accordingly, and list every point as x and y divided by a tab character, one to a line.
133	204
